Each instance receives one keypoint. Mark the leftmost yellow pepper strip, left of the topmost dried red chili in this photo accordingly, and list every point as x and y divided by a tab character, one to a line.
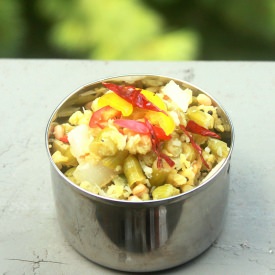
115	102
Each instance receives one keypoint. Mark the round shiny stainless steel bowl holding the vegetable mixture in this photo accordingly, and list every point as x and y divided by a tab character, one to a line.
139	236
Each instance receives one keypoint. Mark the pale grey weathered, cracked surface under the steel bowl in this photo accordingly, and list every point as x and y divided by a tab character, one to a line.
30	238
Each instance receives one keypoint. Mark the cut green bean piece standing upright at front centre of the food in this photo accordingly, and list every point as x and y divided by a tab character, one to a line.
133	171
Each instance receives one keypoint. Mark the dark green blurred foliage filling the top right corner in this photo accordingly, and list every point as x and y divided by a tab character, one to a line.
228	29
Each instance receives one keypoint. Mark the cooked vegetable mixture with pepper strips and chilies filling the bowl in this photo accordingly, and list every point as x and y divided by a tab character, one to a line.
140	143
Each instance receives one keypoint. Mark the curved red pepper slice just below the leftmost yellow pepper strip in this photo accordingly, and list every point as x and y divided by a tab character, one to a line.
102	115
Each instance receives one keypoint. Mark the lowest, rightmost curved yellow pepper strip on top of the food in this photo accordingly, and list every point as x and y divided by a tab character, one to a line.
164	121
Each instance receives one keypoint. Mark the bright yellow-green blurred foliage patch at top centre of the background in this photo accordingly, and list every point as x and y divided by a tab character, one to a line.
119	29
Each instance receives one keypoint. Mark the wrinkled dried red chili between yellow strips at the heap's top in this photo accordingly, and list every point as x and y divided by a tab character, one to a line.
133	95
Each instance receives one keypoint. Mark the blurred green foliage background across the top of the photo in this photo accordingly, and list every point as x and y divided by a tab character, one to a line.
138	29
